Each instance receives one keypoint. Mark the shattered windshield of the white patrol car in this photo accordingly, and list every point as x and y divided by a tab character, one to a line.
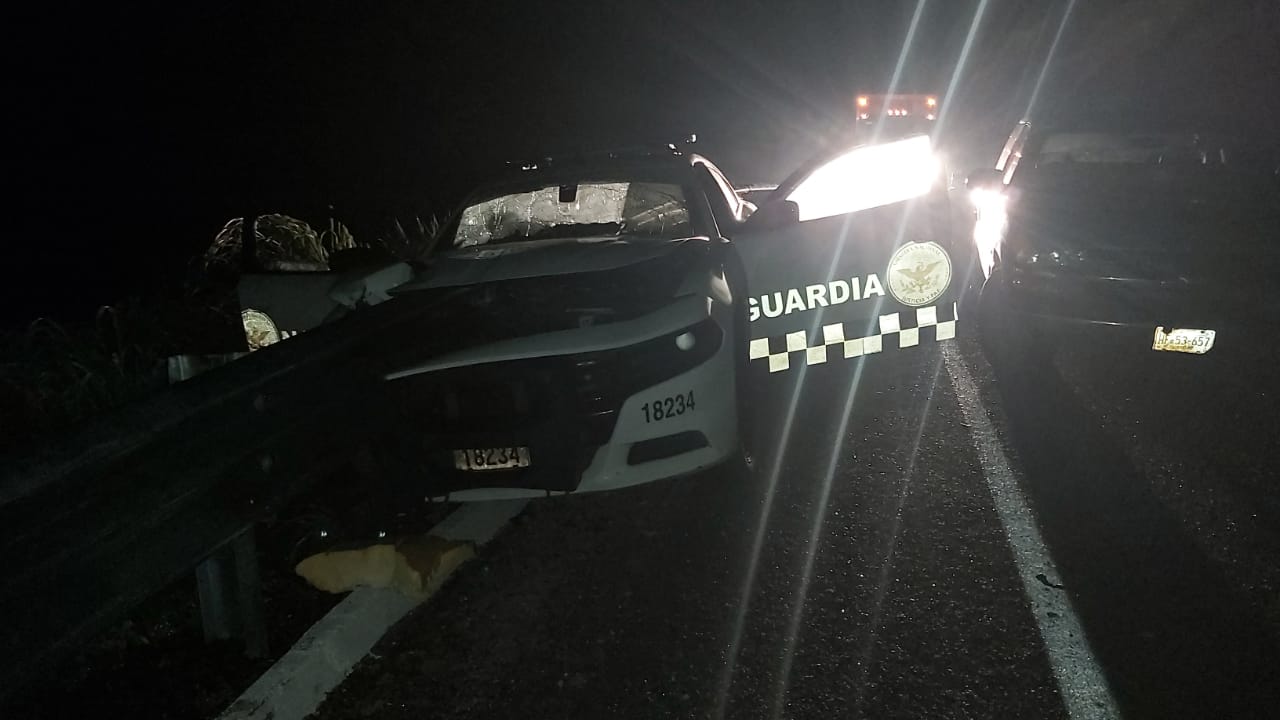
596	209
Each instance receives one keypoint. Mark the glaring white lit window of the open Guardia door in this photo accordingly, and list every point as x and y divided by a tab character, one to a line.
868	177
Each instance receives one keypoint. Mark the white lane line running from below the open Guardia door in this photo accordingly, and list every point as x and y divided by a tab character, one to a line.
1080	678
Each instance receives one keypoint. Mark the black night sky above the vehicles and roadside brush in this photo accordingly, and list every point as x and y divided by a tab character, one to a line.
138	131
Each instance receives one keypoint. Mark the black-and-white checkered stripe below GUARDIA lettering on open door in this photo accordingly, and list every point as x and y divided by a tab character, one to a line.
835	343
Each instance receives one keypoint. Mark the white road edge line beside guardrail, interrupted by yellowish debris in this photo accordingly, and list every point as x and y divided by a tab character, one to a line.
298	685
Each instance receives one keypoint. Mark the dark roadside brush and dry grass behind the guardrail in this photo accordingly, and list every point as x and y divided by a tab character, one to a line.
56	375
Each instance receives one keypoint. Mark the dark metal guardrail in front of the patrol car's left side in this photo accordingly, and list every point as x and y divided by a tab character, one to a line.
99	521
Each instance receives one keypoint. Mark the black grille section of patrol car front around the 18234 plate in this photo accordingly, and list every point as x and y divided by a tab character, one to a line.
564	409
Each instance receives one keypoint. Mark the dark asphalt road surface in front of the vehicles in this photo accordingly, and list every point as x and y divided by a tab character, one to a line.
1092	535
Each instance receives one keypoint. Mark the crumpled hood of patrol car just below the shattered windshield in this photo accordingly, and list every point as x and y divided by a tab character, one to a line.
540	258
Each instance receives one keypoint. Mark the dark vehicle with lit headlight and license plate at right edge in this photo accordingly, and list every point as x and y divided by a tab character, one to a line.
1162	241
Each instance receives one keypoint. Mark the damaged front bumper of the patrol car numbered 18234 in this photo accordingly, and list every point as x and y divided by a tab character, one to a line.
582	413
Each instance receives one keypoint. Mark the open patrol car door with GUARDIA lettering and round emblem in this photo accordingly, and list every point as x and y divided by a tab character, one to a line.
851	263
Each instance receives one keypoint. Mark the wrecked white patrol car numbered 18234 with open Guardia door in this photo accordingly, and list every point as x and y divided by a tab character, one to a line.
595	322
